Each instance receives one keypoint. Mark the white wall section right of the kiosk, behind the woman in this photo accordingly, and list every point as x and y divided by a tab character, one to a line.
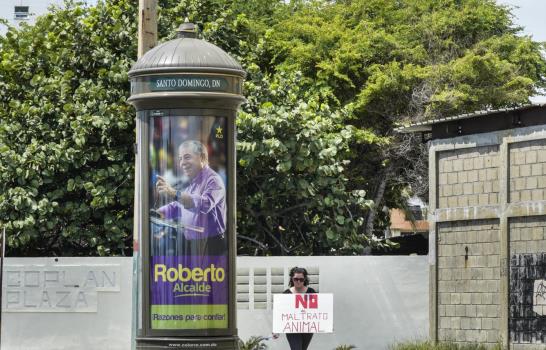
378	300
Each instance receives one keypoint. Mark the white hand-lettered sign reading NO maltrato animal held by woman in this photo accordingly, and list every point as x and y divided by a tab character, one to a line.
303	313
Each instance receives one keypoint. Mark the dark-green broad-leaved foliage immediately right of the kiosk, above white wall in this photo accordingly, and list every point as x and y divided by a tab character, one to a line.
292	173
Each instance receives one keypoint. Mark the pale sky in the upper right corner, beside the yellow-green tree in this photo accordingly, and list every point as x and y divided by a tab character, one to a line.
530	14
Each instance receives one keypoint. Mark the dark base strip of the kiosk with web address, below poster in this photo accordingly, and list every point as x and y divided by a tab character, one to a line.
188	343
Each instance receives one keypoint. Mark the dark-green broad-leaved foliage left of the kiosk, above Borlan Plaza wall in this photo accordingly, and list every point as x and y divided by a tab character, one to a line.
66	132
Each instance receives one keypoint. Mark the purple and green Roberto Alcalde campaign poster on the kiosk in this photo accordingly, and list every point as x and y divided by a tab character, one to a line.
188	243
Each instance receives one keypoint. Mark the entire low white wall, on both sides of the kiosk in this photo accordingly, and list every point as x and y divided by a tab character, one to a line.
377	300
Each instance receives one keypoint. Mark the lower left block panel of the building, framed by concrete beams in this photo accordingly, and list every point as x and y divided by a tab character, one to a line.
468	281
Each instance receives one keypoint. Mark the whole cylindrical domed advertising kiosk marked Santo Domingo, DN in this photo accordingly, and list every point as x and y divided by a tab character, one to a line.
186	93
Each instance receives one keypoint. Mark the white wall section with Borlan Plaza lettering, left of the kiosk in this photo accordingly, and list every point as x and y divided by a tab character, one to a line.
109	327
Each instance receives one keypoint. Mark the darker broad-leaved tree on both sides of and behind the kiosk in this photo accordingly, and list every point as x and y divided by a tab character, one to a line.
67	141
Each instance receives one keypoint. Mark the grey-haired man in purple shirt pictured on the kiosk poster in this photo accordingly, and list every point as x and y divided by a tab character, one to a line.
201	206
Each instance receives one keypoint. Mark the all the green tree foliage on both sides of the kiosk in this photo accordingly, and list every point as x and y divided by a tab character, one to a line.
328	81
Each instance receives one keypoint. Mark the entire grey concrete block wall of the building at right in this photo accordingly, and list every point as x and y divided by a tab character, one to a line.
487	213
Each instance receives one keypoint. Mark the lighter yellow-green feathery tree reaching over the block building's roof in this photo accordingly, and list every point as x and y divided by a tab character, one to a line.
391	62
